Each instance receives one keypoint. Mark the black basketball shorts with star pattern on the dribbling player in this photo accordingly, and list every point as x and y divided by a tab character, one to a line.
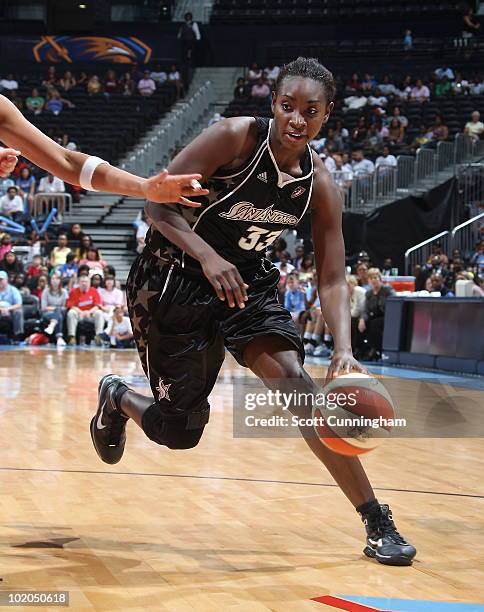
181	328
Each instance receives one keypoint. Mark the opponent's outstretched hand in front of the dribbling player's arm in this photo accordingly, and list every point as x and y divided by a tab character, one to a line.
166	188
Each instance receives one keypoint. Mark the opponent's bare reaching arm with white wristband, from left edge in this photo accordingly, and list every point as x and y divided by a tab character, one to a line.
91	173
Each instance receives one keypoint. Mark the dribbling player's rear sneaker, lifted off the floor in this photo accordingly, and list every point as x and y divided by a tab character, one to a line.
108	426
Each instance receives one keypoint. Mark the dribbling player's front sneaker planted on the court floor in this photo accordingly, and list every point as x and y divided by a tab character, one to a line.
383	542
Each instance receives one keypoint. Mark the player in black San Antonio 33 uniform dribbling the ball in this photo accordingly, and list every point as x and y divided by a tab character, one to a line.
202	285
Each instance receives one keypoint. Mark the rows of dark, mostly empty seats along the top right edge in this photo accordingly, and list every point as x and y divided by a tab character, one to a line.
307	11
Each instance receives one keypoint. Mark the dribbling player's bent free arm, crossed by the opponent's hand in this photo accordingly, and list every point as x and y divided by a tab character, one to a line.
227	143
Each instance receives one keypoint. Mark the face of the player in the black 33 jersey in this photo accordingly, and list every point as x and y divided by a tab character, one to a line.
300	110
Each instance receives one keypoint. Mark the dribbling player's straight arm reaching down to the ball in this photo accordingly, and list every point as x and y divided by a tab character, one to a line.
329	250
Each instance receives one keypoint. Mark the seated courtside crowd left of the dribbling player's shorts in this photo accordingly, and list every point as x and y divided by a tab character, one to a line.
60	291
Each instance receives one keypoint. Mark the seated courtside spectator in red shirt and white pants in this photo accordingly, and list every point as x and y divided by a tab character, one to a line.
83	303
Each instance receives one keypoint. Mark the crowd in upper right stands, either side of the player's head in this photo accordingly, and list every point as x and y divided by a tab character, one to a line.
368	127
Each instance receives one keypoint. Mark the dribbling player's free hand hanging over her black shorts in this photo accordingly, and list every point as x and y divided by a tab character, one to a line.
226	280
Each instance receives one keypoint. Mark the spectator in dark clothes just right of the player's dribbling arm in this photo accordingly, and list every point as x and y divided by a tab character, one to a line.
373	317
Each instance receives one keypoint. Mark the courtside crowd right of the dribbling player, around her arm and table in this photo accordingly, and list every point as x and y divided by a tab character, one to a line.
369	288
